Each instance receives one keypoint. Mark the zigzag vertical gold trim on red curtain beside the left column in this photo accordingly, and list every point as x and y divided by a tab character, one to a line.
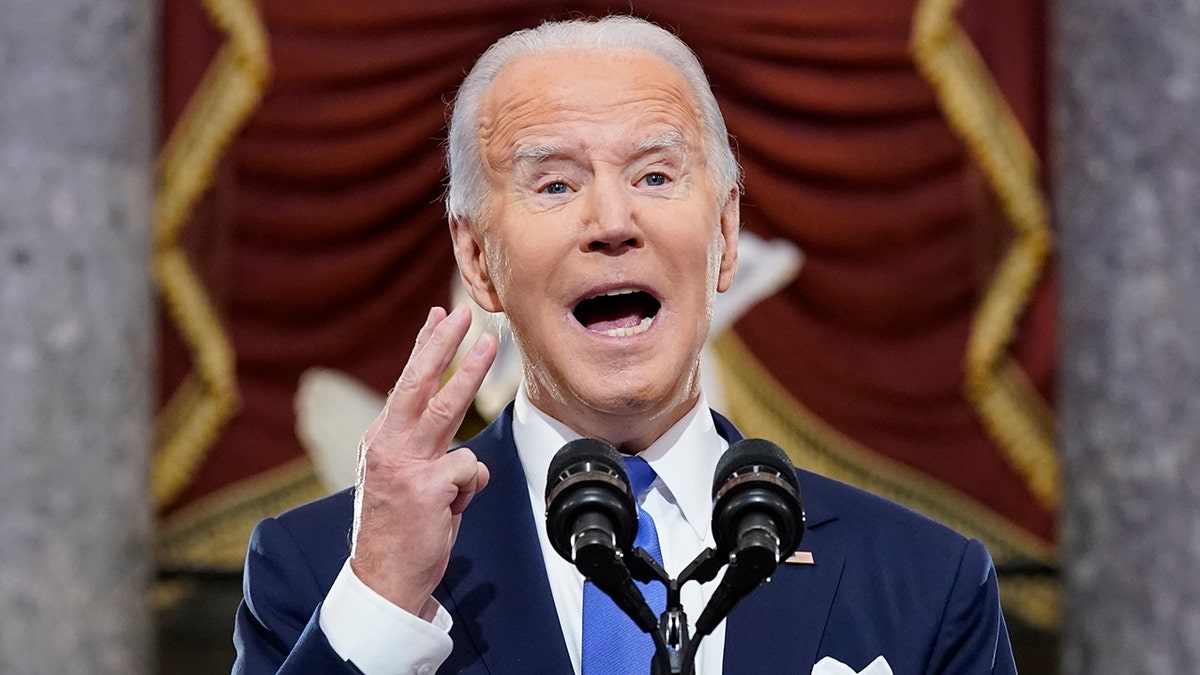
231	91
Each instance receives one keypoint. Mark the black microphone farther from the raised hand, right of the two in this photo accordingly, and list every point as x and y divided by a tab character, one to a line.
758	522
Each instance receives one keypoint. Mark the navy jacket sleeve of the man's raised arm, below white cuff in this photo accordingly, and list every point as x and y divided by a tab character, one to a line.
277	629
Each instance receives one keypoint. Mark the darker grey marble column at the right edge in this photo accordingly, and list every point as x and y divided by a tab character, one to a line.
1127	206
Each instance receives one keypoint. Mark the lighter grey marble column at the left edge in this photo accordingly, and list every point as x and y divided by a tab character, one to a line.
77	138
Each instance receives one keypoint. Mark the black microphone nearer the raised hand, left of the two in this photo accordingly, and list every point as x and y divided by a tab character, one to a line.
592	522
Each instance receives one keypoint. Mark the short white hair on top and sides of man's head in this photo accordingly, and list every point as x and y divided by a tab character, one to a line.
466	198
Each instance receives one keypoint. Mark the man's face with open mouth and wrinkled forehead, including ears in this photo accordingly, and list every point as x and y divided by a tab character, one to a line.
605	240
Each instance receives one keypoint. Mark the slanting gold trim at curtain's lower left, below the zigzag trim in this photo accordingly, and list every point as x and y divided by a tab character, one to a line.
213	533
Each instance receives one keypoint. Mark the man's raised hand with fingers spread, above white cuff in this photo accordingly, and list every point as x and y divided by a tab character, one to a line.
411	492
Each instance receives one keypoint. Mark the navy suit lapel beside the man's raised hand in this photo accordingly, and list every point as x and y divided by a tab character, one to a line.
497	578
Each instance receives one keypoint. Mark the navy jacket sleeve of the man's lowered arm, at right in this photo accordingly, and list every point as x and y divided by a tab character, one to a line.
973	637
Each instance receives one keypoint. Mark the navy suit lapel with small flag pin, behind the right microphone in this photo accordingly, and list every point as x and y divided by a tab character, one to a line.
781	625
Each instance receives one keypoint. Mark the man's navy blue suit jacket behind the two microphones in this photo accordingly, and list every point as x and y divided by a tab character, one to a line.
885	581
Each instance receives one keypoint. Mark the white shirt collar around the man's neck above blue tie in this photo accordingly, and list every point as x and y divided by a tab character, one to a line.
686	475
